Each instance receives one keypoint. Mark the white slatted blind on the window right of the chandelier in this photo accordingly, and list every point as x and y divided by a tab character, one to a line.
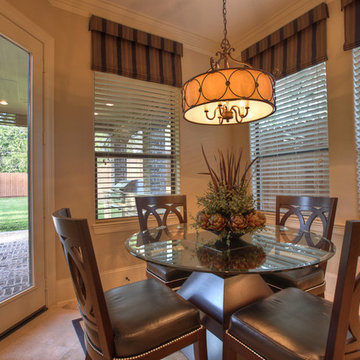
292	144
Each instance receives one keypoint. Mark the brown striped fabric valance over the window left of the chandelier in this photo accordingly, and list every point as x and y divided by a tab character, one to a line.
121	50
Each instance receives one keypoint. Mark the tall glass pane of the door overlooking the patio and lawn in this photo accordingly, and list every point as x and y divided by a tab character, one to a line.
15	249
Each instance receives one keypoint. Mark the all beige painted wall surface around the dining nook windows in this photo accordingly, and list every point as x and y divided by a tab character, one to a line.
74	155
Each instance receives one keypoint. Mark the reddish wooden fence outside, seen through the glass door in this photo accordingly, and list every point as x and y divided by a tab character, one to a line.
13	184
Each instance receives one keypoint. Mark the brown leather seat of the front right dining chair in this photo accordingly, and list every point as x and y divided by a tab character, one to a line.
290	324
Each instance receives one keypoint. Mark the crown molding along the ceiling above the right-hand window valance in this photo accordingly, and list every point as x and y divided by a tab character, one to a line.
277	20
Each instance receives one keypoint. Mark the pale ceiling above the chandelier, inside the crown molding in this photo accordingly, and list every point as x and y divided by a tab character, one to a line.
204	17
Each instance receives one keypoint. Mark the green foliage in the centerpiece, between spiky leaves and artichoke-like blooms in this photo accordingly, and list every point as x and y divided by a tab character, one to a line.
226	202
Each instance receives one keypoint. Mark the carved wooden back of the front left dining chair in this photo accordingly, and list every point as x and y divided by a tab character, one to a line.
79	254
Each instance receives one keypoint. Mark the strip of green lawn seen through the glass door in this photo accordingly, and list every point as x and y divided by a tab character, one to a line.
13	213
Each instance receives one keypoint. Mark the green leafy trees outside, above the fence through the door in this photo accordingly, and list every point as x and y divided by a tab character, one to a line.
13	149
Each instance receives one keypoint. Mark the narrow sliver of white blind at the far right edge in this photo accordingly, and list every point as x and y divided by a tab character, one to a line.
356	74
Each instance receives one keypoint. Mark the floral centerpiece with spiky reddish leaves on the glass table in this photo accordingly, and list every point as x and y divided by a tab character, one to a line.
227	207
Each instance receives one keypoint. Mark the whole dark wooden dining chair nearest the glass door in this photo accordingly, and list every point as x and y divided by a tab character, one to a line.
142	320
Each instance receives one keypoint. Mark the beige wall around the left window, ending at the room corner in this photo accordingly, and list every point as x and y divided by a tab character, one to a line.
74	154
